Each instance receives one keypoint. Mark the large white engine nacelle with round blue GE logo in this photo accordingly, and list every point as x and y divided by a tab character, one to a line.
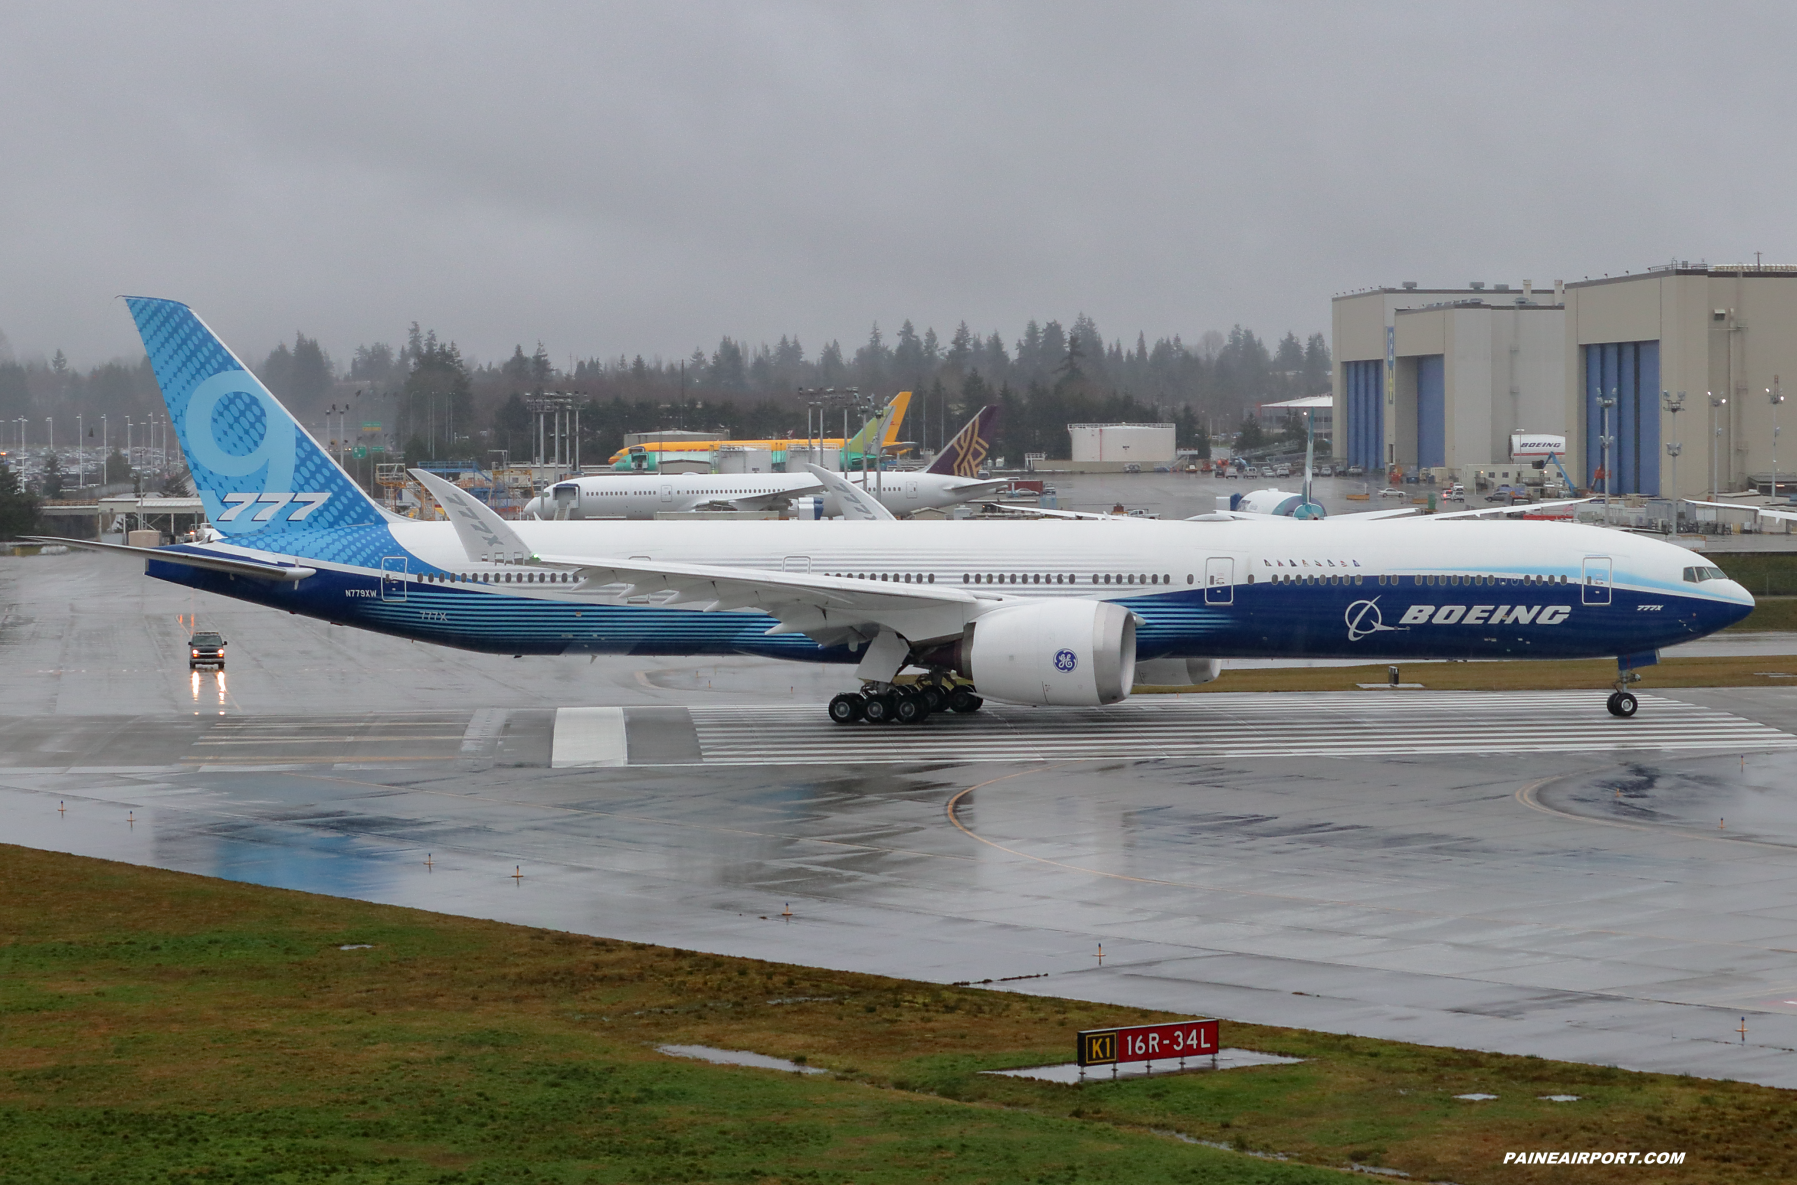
1067	654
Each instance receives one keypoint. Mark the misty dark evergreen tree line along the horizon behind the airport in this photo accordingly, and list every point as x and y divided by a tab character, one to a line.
438	405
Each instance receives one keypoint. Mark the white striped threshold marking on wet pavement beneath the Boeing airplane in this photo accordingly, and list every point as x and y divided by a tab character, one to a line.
1234	726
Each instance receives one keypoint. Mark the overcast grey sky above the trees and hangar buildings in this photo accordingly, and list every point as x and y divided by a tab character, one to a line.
648	177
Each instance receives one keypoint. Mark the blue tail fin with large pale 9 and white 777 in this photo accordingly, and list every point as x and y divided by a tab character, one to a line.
254	467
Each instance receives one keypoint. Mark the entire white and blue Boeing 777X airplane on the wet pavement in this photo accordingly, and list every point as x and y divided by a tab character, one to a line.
1050	612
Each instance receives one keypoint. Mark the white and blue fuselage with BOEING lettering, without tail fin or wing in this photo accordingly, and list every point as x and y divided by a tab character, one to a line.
1248	589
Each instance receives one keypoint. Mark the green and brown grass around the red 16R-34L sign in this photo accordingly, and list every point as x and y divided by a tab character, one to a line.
166	1028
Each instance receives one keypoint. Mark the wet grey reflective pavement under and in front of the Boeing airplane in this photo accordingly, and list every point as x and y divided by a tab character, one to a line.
1516	873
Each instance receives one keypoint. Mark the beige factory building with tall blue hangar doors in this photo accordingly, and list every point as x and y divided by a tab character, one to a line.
1440	379
